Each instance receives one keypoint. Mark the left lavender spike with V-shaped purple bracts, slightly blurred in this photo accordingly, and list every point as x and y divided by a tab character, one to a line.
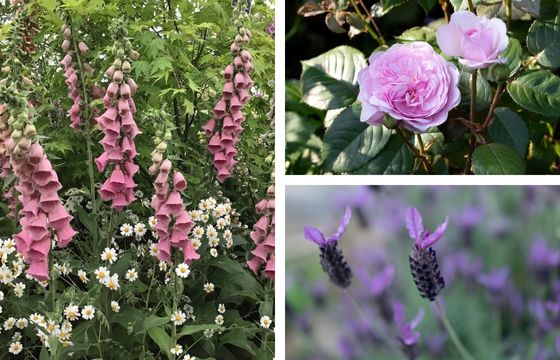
332	260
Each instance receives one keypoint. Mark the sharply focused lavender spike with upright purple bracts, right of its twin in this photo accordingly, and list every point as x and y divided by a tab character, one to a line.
423	262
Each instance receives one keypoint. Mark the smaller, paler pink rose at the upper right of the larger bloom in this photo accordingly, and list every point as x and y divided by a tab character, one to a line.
477	41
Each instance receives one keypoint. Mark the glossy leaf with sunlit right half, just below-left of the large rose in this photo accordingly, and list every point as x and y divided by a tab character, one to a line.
349	144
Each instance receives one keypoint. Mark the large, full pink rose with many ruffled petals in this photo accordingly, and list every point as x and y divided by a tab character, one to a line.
411	83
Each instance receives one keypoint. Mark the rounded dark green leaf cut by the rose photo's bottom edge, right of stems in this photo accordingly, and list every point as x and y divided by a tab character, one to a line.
497	159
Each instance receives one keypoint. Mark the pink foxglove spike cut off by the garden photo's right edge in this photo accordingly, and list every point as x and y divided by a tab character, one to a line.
263	235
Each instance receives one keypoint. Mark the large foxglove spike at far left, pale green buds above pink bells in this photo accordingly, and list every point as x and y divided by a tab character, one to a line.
42	214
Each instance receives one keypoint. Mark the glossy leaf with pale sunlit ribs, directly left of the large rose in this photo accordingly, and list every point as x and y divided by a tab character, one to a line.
329	81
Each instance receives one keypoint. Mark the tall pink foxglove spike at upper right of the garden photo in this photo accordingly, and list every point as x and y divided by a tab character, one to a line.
227	113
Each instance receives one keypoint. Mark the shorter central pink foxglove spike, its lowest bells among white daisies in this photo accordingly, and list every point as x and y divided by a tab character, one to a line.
173	221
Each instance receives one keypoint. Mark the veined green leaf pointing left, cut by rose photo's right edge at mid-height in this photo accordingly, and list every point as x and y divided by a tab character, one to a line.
537	91
